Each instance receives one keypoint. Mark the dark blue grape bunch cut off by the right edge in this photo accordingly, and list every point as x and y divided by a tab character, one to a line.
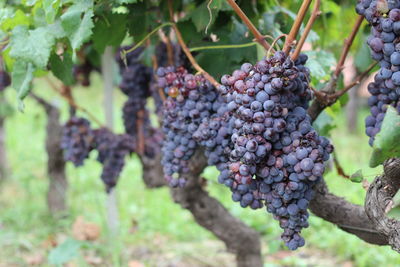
384	18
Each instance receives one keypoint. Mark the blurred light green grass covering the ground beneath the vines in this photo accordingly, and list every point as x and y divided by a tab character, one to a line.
153	229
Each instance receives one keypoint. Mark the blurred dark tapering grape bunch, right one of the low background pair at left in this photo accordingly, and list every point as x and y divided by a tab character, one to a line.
112	149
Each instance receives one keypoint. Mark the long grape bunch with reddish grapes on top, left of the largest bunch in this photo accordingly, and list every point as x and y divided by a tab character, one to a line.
190	100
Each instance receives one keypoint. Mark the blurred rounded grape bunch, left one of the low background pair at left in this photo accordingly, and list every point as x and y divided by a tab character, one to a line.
77	140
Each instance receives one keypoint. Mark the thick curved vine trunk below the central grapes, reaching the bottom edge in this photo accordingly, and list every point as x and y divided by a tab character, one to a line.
208	212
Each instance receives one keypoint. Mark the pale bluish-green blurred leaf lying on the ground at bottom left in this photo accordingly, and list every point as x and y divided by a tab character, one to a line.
65	252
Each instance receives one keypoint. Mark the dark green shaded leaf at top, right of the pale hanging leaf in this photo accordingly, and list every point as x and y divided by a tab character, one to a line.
109	30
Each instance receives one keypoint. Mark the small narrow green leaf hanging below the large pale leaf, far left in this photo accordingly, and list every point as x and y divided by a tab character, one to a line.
22	76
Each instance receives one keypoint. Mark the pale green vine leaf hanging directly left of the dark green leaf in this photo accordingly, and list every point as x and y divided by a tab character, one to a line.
78	28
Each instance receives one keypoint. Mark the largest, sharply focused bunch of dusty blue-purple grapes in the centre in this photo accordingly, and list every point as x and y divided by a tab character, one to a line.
264	144
